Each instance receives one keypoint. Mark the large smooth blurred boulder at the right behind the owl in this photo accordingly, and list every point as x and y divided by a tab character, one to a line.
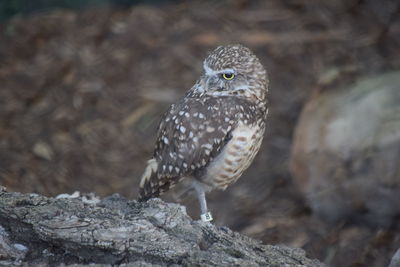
346	152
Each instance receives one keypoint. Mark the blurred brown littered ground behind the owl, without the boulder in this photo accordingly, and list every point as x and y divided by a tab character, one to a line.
82	93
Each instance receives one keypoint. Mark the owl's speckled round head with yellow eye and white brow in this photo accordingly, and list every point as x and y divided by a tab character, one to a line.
233	70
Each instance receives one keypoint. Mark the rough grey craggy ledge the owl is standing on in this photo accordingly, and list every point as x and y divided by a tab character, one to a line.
41	230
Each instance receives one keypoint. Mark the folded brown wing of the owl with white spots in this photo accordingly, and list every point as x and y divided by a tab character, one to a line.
190	136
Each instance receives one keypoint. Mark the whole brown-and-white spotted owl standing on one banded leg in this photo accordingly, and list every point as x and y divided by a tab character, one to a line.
213	133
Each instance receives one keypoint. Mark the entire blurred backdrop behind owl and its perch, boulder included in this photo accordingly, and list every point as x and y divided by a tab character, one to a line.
83	85
